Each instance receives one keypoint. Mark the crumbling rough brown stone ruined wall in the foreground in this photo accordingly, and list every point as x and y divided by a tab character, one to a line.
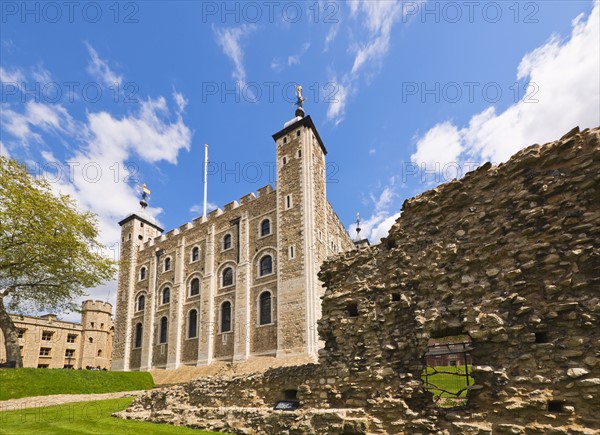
509	255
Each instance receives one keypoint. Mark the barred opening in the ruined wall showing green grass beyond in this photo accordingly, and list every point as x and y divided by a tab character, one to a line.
447	368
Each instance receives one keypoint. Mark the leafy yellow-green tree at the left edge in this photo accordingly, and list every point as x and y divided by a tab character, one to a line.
49	252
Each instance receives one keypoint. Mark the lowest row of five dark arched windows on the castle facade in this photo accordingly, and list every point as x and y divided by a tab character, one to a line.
265	317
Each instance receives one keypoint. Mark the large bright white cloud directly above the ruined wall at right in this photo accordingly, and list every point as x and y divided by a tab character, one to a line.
567	95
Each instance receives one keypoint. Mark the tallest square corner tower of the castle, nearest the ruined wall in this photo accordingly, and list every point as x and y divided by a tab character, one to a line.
302	227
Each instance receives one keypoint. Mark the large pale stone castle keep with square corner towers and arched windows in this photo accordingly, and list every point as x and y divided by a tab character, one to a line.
239	282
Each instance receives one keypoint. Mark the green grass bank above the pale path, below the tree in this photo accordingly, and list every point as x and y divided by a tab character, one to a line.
16	383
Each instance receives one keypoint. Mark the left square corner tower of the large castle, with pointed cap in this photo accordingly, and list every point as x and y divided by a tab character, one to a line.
136	229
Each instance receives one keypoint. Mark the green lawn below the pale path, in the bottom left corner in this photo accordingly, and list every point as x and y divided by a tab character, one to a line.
83	418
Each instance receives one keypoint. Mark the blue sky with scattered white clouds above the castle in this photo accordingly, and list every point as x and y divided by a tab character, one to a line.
100	97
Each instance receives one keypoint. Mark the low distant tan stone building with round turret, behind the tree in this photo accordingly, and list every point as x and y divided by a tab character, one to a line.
47	342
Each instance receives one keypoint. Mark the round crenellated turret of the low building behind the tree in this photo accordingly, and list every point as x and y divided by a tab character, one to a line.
96	334
